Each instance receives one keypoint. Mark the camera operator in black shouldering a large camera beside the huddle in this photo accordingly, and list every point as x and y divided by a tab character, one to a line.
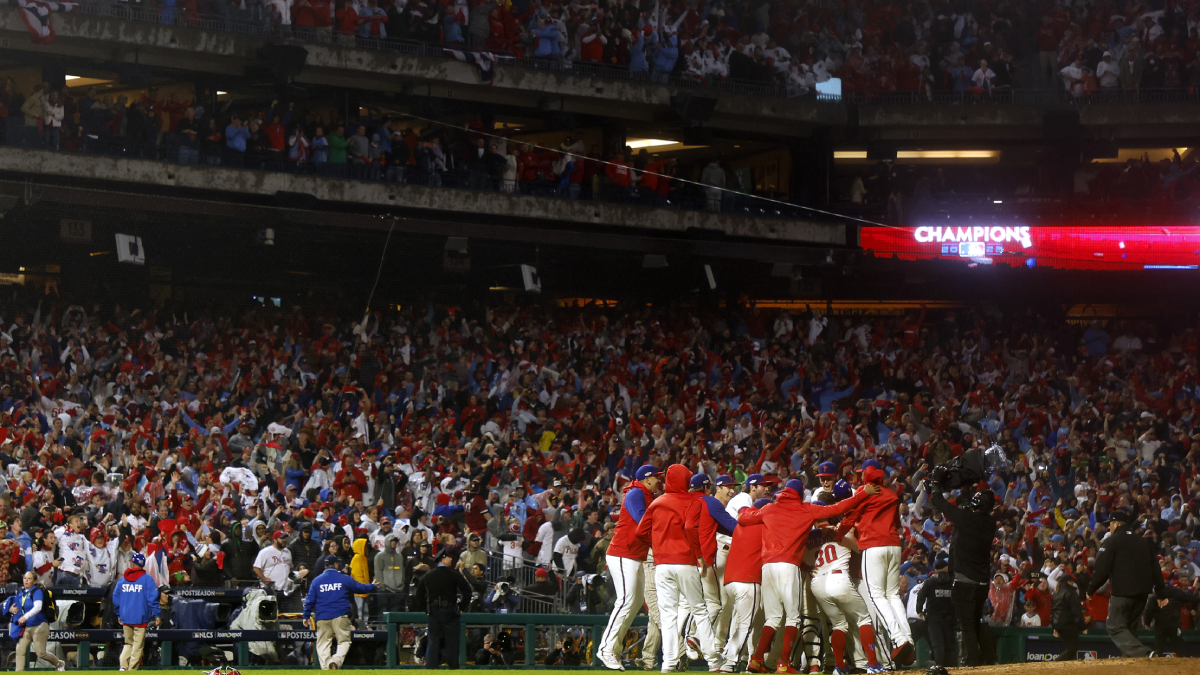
975	528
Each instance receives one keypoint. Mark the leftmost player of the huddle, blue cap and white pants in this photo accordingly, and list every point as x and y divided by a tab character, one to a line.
625	557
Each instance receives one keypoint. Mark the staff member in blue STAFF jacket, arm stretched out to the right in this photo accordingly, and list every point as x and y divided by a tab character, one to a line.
328	606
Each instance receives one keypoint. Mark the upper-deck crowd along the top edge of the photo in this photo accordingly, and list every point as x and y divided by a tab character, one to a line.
874	47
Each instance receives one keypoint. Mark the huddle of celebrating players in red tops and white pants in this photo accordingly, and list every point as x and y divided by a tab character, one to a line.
765	576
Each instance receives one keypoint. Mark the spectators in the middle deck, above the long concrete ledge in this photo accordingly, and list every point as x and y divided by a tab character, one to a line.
202	129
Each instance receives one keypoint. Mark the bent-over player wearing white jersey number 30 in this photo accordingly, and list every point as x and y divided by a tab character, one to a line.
836	593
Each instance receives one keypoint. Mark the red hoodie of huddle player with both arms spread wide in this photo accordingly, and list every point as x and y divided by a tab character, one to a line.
788	524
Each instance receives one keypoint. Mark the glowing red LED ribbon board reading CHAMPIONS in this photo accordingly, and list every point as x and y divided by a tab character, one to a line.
1061	248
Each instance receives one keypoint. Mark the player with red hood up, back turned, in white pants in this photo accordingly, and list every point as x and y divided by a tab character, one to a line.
671	525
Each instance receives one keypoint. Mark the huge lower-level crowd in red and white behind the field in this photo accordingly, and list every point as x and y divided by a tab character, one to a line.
248	447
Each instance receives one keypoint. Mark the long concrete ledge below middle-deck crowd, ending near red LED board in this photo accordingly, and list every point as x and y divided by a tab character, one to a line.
538	211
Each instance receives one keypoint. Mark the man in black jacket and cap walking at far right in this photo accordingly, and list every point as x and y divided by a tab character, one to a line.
1129	560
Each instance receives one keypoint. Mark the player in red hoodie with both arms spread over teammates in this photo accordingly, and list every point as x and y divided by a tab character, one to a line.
788	524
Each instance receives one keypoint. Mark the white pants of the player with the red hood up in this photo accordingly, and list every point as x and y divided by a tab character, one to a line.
682	595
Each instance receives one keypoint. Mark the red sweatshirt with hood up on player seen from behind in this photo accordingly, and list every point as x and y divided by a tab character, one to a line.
671	524
